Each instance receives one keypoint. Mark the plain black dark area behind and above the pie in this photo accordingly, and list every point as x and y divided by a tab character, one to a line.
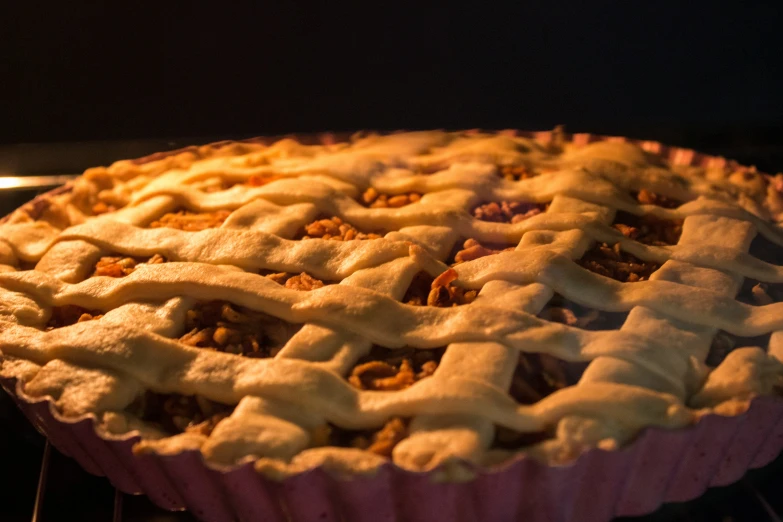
88	70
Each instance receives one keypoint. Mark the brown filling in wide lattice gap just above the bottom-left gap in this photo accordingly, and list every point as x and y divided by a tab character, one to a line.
222	326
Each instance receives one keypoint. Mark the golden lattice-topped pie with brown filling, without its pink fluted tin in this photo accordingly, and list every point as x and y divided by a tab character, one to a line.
426	297
